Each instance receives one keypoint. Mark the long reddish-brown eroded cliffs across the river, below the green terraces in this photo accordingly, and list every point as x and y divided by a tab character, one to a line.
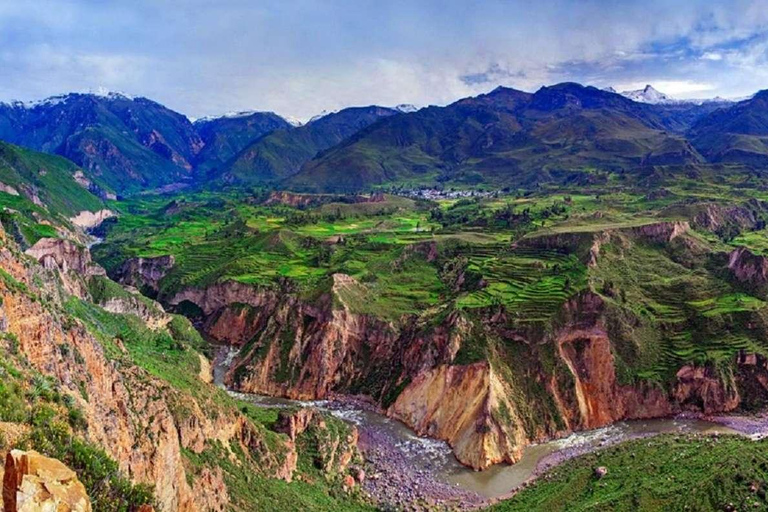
526	385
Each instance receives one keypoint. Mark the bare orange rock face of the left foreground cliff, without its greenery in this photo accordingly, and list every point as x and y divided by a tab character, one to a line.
129	413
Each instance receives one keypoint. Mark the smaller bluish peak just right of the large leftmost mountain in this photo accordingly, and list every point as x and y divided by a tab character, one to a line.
225	136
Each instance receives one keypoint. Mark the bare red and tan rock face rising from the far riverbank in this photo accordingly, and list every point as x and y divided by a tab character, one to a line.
311	351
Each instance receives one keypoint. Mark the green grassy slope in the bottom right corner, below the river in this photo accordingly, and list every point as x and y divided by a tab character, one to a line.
668	473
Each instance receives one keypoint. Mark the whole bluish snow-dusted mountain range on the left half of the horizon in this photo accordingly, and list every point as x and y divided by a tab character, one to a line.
128	145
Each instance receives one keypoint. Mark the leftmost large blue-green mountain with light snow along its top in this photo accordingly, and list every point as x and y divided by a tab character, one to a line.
126	144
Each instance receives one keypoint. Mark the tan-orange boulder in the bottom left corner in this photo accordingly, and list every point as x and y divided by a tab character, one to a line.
34	483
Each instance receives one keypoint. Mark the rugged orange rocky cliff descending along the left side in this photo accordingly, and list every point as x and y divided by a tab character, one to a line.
148	425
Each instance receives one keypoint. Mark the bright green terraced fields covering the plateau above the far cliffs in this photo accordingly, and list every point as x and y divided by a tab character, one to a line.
670	304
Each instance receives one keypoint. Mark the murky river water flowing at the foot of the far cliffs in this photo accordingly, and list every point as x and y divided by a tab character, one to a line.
431	458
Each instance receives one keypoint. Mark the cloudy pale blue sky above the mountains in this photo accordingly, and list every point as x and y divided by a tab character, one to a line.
300	57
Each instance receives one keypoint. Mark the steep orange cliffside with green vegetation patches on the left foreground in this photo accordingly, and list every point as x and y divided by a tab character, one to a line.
125	379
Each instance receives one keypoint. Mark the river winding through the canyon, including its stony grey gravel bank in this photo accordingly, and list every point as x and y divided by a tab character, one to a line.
427	468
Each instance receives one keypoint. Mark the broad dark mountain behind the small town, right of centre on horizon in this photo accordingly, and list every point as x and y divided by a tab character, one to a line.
504	137
